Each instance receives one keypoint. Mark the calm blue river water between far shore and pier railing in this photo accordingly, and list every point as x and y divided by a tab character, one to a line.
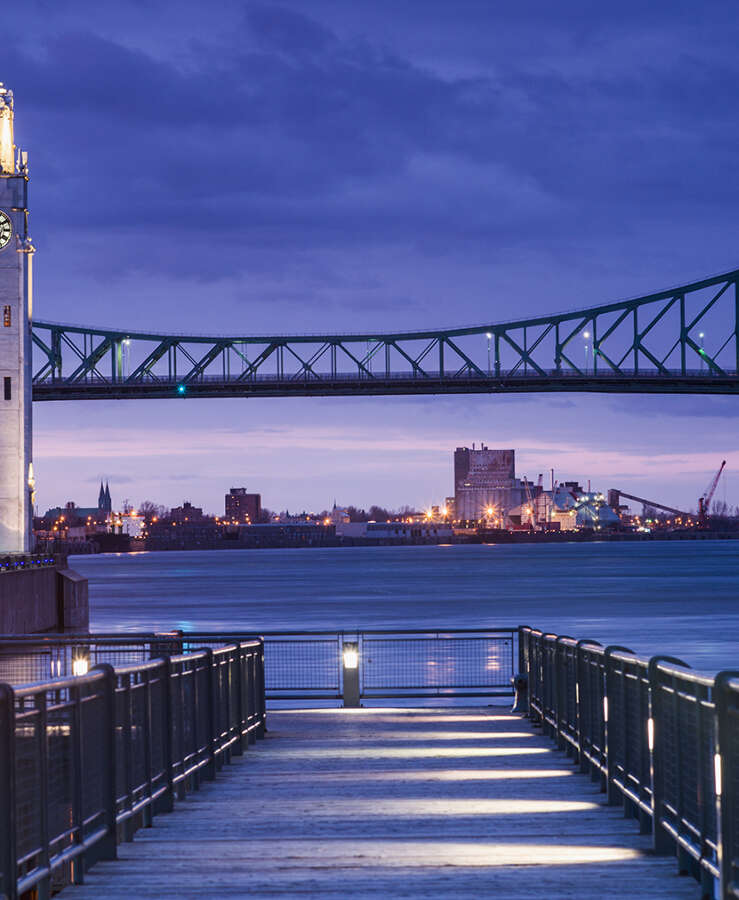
680	598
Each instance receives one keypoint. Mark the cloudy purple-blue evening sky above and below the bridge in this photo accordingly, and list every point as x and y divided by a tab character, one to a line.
372	165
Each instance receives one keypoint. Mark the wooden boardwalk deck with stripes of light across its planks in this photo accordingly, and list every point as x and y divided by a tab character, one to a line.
392	803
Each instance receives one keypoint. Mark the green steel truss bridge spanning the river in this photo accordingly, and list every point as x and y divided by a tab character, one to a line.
683	340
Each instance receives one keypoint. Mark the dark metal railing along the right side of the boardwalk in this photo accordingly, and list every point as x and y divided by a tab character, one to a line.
661	739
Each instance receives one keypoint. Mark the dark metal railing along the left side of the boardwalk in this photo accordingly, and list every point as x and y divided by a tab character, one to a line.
86	760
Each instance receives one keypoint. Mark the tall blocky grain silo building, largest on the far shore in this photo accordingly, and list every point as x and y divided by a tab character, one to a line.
484	480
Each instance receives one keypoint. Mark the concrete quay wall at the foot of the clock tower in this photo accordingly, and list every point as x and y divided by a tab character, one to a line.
52	598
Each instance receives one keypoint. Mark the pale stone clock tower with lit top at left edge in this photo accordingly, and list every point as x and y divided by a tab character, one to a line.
16	255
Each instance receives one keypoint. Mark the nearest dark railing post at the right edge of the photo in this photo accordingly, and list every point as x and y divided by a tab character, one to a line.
726	801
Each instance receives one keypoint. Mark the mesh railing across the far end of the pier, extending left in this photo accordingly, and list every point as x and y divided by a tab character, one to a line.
339	666
